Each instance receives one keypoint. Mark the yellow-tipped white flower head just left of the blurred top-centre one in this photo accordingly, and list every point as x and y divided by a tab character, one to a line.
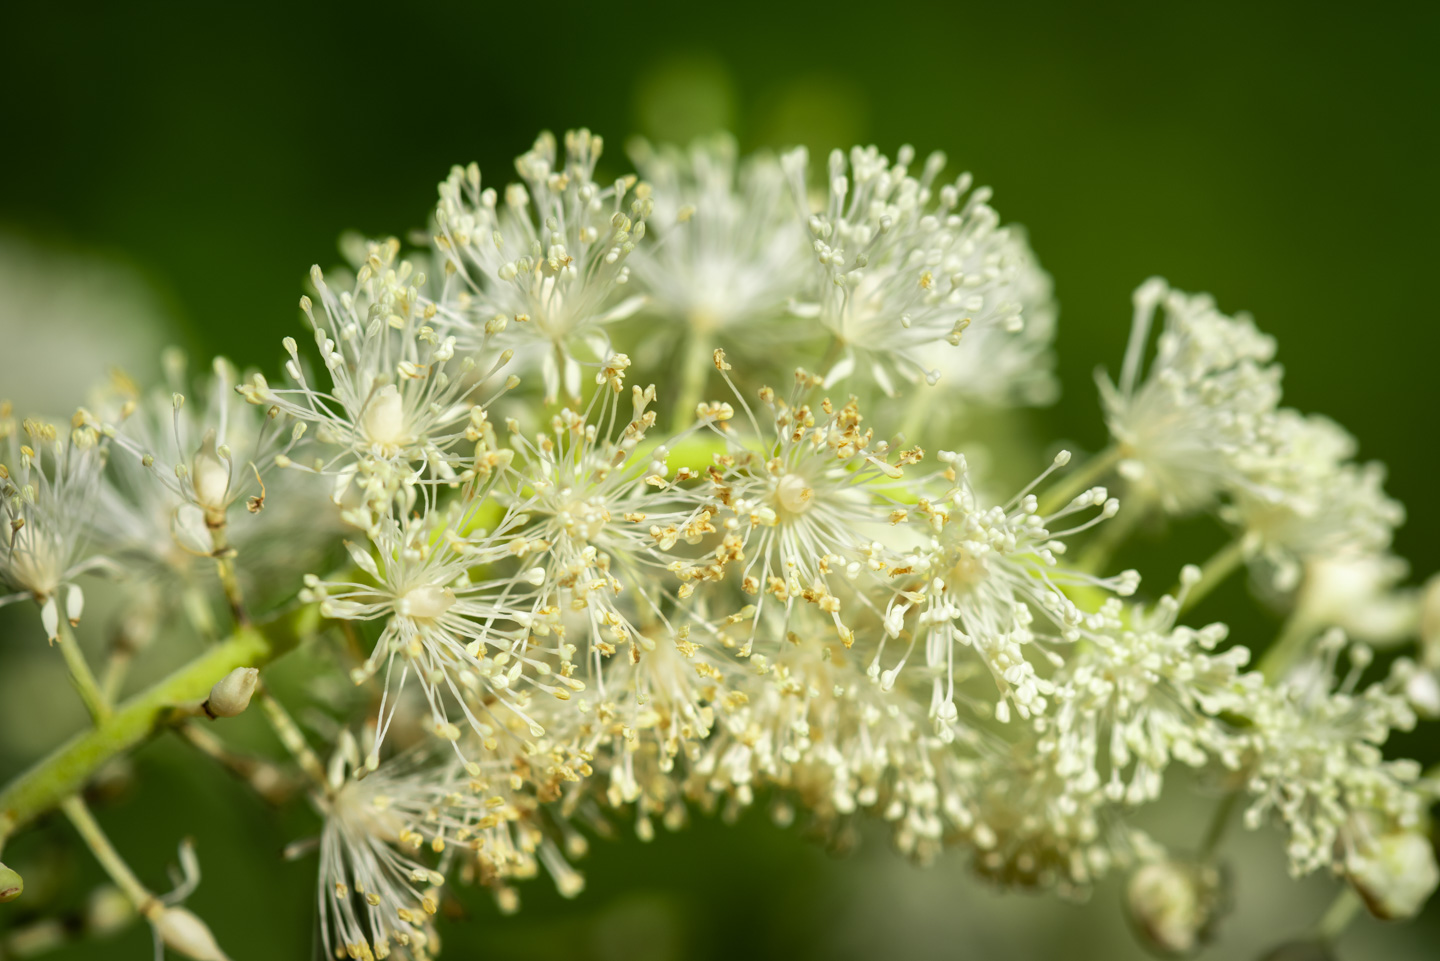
548	266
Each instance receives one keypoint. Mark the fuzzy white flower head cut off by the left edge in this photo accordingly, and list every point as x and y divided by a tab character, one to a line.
48	485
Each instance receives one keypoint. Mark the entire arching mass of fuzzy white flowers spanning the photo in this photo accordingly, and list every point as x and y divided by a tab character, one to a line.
581	599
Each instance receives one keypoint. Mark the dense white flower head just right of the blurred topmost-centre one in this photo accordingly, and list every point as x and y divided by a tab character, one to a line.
904	267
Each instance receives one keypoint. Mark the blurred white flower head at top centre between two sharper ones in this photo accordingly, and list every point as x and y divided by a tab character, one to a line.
729	250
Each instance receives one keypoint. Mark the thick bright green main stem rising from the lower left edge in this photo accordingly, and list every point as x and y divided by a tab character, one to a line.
71	766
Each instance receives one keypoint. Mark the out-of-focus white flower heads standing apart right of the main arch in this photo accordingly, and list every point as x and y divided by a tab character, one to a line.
1203	429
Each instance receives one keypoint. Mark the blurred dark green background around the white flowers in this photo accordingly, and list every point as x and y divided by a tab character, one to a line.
1282	158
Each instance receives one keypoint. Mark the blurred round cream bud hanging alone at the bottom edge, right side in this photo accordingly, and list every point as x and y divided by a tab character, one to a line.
1174	906
